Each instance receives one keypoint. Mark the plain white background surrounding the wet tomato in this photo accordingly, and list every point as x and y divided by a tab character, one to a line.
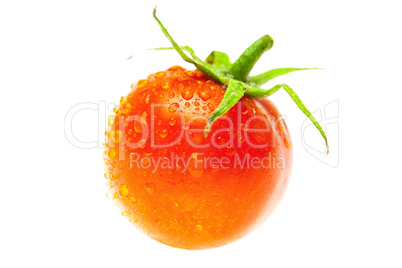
56	54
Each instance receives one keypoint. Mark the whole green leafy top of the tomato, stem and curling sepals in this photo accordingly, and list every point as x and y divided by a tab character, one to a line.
235	76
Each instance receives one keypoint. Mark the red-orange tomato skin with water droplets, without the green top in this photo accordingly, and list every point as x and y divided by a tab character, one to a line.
224	187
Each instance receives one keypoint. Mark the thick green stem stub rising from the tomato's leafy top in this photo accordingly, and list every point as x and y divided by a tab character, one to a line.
245	63
